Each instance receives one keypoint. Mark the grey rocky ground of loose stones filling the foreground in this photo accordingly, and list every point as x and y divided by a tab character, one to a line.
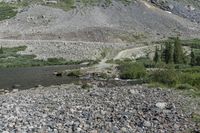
70	108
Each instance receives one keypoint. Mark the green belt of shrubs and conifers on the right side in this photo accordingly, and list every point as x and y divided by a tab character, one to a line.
170	68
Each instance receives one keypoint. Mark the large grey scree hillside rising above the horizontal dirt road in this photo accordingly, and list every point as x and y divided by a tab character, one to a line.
116	20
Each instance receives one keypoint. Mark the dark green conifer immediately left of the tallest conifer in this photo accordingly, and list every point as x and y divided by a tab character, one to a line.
169	53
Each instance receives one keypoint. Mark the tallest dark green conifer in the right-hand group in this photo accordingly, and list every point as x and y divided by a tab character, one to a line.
178	51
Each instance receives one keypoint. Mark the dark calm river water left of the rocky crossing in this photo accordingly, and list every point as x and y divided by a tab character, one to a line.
24	78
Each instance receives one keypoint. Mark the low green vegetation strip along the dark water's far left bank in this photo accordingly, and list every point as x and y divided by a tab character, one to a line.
10	58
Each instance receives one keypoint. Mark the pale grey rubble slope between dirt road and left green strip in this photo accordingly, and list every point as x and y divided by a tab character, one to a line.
45	49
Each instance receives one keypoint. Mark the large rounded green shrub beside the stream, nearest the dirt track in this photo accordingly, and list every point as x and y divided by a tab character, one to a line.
132	71
